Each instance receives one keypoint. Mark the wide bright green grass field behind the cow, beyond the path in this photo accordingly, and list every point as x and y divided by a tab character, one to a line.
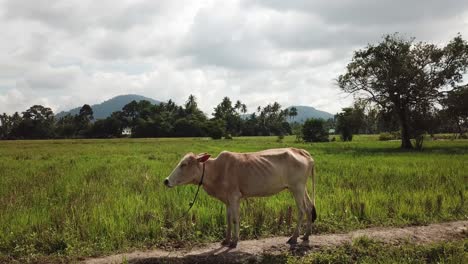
89	197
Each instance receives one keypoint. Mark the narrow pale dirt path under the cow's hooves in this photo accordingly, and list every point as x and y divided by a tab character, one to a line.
215	253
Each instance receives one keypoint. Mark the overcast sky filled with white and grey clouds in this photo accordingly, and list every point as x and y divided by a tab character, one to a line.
63	53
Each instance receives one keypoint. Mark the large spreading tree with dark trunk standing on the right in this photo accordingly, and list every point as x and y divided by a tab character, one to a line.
404	76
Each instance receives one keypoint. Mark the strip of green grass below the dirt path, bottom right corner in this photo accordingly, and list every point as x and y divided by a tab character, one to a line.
365	250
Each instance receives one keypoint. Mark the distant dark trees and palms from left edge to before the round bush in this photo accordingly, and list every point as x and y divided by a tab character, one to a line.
145	119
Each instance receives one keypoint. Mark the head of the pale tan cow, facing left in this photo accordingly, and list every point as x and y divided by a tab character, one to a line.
189	170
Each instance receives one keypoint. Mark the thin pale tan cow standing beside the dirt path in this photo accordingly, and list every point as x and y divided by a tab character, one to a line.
233	176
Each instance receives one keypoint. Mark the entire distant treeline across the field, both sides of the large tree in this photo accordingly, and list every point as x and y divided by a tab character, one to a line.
228	119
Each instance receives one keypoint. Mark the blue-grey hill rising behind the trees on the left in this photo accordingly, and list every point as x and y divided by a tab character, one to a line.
106	108
